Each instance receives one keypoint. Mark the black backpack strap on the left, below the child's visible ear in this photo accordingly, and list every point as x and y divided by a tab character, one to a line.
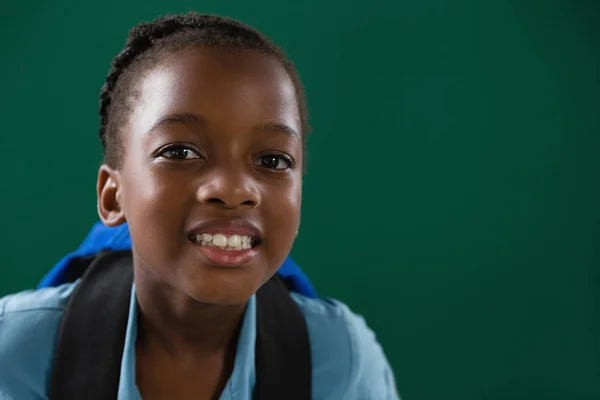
91	338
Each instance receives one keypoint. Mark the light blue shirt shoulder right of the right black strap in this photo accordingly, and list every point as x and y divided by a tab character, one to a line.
345	350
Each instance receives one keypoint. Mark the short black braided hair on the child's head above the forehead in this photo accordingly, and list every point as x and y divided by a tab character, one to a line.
149	42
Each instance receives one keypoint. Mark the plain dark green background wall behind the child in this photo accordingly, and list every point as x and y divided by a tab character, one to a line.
452	194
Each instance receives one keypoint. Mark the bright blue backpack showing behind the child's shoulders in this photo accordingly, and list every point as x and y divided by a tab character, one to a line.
117	238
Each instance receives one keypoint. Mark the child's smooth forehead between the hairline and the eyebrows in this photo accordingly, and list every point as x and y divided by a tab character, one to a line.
224	87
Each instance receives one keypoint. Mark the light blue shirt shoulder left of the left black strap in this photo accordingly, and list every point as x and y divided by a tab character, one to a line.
29	323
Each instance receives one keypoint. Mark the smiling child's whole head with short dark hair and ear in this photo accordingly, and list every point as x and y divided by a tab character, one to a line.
203	125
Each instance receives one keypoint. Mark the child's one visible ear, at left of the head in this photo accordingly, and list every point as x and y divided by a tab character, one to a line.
108	191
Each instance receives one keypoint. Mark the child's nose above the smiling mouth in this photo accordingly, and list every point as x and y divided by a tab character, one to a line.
230	189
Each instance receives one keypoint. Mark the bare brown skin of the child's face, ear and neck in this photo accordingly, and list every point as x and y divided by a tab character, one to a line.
190	311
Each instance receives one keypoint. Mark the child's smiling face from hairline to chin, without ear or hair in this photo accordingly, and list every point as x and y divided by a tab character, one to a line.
235	113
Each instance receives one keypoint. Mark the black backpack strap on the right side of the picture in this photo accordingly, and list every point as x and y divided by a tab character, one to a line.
283	357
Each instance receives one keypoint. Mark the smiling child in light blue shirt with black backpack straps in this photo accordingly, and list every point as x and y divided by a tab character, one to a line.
203	124
